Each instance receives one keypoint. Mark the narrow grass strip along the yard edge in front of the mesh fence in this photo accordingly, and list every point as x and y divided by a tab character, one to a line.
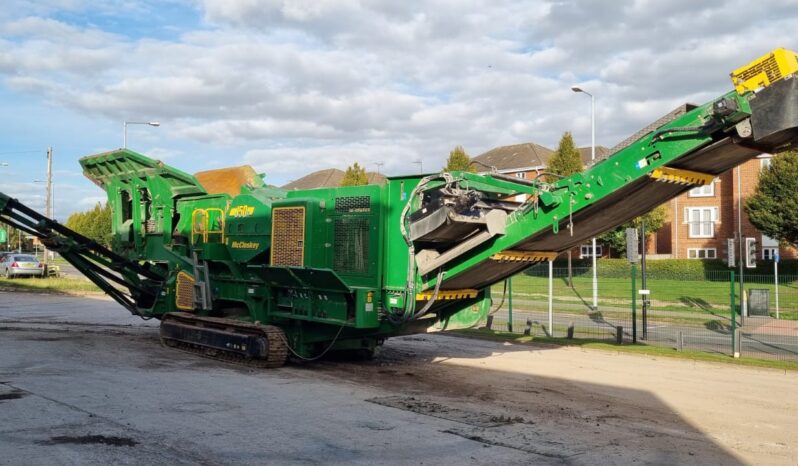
647	350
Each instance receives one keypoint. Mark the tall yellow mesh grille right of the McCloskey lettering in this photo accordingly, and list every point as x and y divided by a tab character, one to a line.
288	236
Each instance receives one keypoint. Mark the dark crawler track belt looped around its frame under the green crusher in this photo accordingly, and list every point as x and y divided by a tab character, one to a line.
278	348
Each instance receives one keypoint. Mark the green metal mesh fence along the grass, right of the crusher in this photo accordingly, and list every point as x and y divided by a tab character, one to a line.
687	311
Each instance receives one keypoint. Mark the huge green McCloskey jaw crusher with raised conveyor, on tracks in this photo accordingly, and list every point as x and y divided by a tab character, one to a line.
238	270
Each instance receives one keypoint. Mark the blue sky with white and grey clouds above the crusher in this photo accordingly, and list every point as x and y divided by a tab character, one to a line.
291	87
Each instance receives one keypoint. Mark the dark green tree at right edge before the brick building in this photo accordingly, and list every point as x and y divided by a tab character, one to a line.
773	208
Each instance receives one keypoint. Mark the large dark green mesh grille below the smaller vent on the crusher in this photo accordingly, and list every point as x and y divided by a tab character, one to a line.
351	245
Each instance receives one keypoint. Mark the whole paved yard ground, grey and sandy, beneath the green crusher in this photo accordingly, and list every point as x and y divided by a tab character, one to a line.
82	382
